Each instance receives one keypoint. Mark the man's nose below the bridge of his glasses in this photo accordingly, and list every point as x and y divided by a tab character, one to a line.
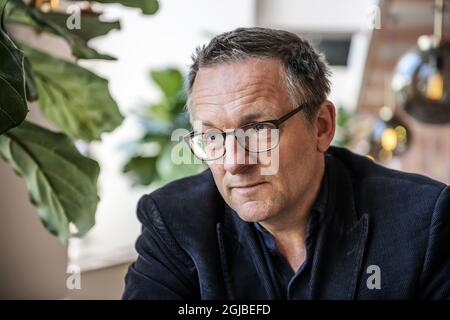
236	158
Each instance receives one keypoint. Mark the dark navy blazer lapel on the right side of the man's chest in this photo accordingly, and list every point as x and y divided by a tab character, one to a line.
341	241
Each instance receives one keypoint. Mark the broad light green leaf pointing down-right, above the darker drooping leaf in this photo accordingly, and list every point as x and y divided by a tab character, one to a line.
75	99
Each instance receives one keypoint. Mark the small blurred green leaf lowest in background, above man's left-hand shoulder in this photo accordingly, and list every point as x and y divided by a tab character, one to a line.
142	170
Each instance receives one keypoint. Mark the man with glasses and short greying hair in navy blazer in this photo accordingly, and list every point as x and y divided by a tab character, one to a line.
324	224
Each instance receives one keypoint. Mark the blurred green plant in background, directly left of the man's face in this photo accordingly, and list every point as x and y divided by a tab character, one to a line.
158	123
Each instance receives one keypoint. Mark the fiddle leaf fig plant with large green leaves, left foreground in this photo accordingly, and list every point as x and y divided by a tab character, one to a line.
61	182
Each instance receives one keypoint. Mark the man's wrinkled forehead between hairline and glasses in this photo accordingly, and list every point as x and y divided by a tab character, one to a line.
226	93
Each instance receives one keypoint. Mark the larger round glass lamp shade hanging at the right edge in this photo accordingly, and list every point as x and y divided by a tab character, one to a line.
421	82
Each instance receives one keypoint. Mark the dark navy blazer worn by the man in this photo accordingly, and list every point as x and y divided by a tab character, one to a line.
194	246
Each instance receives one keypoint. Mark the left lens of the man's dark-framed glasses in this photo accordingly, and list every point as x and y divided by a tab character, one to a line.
208	145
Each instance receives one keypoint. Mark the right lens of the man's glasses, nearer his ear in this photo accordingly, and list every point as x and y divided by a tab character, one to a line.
258	137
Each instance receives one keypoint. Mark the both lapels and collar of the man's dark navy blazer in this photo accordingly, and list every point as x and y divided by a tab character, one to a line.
339	248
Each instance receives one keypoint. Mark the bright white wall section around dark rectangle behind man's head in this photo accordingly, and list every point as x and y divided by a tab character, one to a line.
328	17
